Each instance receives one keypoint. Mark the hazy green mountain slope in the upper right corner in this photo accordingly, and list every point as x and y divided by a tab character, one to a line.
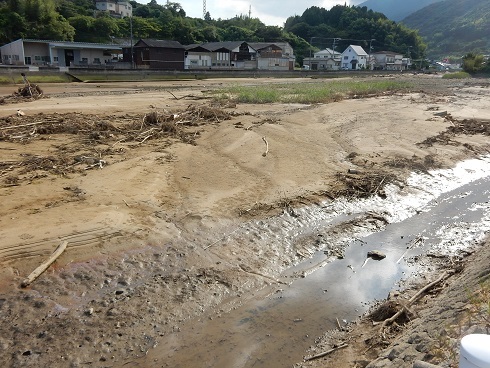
454	27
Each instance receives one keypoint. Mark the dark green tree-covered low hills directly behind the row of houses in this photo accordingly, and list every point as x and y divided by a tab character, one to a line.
77	20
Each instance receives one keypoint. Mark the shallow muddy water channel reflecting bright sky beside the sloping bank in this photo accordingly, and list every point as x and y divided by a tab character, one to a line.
439	214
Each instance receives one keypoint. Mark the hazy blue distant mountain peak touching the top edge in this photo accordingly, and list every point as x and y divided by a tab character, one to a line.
396	9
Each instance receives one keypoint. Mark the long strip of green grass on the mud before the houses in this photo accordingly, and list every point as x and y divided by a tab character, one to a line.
308	93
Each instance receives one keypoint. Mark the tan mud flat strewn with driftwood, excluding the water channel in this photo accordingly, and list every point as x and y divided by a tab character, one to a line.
165	200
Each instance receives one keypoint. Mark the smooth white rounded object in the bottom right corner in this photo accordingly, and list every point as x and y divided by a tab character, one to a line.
475	351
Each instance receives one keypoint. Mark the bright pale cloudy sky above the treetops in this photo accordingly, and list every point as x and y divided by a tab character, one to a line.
270	12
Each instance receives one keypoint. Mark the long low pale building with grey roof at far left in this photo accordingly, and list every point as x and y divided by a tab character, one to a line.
57	53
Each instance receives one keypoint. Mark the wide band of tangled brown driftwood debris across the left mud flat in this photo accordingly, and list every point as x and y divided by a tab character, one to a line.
94	139
